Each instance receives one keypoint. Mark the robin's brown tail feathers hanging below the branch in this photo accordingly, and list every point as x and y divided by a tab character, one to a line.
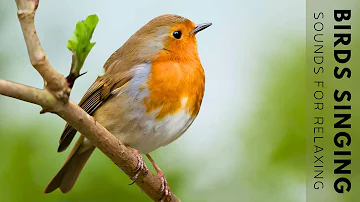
68	174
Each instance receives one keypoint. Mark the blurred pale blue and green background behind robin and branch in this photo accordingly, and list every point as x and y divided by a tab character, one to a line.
248	142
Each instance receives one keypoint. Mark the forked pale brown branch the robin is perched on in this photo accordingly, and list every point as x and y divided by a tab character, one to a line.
55	98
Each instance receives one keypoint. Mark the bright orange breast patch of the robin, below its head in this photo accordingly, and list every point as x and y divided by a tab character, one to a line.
175	85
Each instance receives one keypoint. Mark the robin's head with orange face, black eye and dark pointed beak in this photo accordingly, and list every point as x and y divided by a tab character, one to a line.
168	36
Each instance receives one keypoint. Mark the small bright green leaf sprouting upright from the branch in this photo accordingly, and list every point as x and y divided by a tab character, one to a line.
80	44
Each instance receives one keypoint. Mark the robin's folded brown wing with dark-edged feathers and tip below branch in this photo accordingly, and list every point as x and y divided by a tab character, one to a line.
97	94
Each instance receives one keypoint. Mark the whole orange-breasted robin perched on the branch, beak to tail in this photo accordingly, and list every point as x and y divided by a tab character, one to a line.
149	95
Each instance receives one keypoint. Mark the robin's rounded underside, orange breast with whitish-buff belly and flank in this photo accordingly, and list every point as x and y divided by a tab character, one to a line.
158	105
